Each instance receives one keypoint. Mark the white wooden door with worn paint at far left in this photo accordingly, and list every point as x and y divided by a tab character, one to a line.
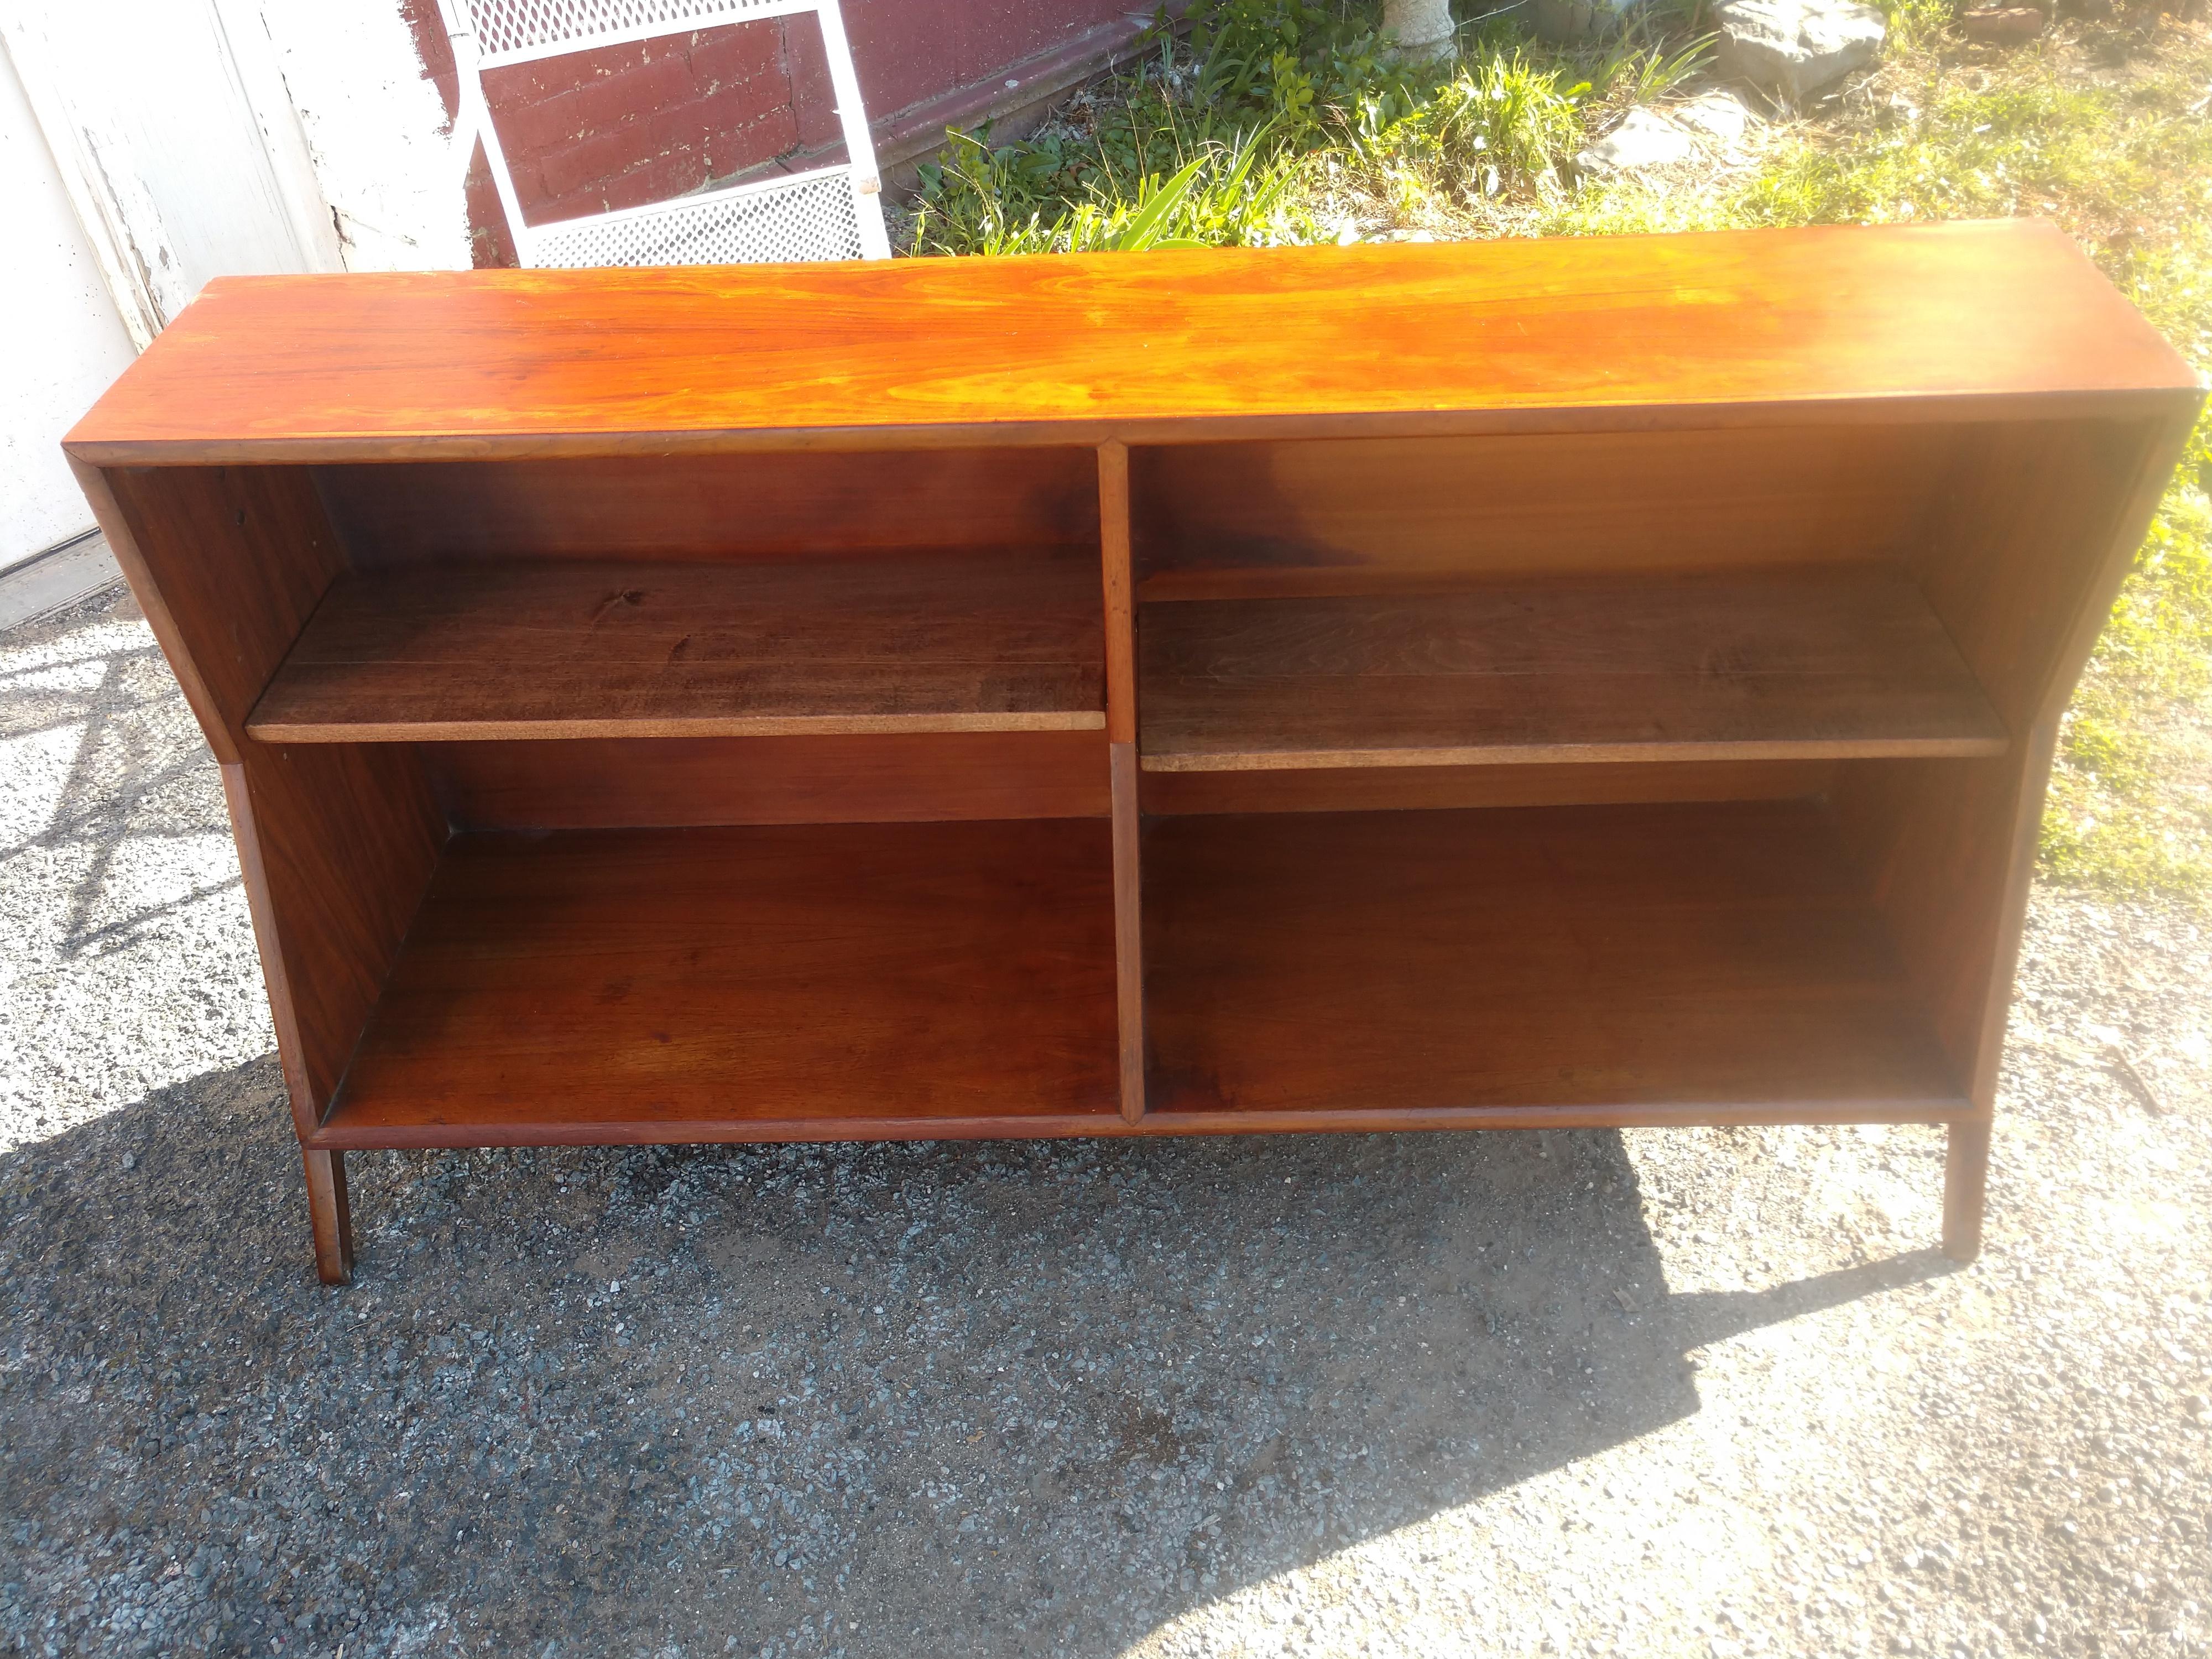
152	145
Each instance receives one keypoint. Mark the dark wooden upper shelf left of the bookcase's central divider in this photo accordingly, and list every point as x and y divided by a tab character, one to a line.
696	649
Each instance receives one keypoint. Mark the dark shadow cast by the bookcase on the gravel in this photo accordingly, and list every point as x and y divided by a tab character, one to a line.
873	1399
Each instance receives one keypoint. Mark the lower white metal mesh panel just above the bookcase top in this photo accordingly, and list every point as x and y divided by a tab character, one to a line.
808	220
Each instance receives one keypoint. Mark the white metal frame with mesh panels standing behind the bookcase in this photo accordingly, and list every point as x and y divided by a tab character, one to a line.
824	213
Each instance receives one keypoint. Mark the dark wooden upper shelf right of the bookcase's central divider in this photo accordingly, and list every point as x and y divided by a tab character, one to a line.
1817	662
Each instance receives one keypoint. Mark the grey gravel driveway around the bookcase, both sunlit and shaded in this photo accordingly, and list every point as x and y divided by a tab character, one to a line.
1578	1392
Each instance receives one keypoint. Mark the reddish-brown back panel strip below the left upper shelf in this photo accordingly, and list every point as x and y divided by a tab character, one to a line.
614	784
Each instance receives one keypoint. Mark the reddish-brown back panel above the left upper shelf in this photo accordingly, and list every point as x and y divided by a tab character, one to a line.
711	508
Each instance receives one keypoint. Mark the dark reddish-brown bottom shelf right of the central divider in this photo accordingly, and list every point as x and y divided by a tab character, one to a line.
1552	966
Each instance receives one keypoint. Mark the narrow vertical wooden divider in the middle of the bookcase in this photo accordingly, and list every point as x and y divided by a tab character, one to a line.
1123	771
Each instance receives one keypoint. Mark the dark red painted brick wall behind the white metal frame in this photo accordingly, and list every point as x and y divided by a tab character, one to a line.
645	123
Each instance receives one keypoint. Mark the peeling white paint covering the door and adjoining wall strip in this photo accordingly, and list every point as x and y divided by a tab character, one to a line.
154	145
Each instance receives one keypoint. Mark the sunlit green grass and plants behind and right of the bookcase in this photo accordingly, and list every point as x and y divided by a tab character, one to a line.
1286	121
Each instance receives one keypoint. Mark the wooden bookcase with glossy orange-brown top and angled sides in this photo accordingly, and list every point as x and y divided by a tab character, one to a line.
1428	687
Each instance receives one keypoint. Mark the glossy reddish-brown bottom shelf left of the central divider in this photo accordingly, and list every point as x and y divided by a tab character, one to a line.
766	983
